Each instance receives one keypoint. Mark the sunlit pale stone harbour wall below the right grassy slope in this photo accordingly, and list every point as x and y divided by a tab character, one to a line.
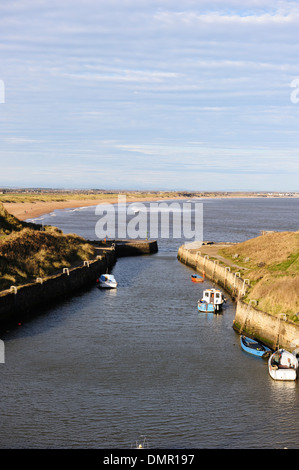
273	330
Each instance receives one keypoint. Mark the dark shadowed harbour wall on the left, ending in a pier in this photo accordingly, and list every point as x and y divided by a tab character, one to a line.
19	301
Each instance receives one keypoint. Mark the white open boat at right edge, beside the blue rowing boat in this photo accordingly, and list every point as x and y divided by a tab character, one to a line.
283	365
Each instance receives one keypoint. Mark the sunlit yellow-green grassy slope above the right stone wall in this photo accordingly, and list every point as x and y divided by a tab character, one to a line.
271	263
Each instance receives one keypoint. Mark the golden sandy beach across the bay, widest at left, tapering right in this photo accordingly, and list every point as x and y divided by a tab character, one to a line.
31	210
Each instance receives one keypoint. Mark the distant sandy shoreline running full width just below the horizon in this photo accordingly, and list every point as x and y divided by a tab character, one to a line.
34	209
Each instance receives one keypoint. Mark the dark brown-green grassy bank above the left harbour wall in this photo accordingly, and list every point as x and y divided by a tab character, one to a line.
26	252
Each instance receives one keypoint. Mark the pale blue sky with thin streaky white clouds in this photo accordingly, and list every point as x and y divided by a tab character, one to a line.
150	94
